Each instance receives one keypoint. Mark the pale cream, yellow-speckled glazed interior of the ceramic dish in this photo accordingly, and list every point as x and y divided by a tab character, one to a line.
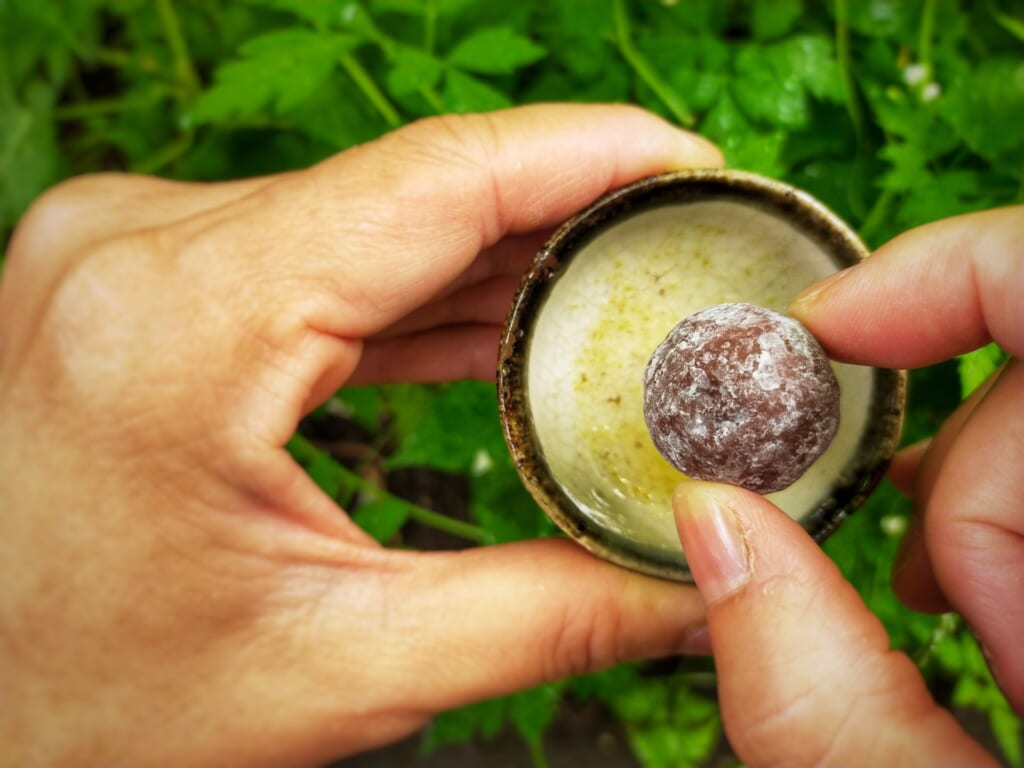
613	305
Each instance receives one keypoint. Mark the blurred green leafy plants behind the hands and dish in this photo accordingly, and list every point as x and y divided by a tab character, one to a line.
893	112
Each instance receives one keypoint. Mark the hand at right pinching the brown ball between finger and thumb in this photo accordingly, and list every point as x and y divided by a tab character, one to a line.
806	674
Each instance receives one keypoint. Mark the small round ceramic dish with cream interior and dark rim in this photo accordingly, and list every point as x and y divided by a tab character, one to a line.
606	290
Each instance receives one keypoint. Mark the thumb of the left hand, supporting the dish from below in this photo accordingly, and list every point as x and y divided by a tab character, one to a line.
507	618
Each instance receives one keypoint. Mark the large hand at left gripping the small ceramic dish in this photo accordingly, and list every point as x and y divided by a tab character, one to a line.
174	589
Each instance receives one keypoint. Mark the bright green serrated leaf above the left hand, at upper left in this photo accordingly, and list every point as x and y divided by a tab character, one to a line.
277	73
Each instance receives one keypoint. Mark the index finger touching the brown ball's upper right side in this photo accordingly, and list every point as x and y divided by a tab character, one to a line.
941	290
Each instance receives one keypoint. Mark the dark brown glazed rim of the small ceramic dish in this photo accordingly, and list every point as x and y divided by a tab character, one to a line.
874	452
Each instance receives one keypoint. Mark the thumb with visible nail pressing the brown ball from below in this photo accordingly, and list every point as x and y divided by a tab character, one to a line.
806	676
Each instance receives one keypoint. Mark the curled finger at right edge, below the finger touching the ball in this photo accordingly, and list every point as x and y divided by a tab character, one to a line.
974	527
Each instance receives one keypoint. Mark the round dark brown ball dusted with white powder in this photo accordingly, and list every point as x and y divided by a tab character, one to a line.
741	395
